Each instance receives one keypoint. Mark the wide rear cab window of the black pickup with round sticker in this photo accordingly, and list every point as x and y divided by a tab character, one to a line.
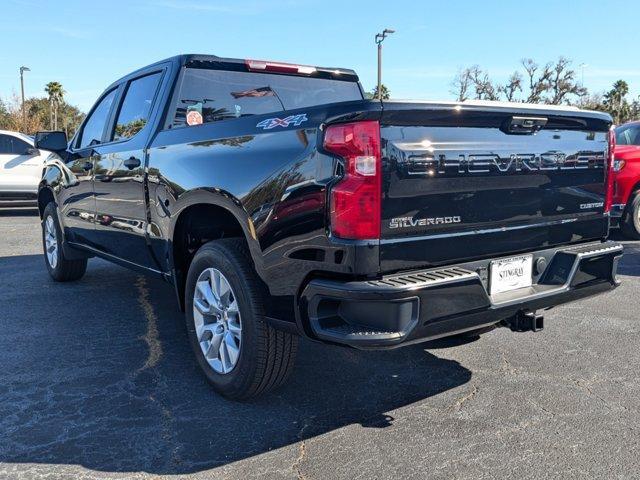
213	95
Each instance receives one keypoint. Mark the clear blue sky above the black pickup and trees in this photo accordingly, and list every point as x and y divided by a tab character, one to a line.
86	45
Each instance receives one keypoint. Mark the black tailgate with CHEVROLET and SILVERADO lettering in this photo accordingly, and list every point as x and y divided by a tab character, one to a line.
463	182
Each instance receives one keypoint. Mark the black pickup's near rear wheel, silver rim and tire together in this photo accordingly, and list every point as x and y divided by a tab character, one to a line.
240	354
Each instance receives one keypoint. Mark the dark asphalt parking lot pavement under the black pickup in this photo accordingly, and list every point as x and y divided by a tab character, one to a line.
97	380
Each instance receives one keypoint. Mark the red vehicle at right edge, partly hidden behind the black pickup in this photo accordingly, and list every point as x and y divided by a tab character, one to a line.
626	187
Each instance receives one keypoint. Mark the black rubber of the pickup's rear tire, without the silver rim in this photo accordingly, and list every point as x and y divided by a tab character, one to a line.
266	355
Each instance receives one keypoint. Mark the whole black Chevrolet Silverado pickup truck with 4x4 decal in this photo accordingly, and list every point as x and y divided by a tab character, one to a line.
279	202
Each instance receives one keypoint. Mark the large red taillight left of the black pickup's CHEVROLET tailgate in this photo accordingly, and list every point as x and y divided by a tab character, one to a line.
355	200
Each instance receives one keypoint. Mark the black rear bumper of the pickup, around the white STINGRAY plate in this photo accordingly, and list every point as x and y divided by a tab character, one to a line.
423	305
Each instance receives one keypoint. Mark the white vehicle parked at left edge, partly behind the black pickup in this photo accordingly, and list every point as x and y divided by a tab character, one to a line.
20	167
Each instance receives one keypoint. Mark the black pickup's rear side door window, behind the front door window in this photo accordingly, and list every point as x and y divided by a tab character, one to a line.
136	107
